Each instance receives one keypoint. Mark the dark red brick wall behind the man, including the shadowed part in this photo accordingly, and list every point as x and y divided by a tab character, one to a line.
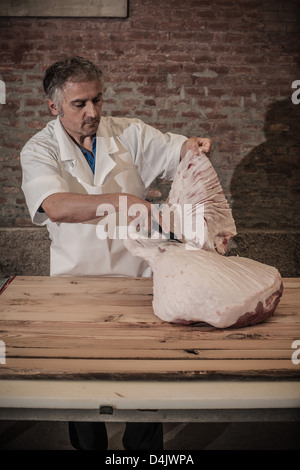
218	68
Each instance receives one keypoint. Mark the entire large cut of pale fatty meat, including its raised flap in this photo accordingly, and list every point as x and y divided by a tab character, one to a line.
192	281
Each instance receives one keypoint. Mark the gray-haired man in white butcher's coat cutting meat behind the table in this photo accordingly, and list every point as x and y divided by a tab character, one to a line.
82	161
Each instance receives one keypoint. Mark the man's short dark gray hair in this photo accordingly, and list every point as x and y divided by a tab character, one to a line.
74	69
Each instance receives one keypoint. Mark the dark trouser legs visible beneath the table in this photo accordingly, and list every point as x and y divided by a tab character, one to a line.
137	436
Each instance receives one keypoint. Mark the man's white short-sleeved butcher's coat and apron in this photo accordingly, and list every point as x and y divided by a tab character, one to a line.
129	156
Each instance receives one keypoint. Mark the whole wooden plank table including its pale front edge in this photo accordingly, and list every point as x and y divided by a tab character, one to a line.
91	348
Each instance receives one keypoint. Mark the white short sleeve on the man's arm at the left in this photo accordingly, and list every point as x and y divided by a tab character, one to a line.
41	177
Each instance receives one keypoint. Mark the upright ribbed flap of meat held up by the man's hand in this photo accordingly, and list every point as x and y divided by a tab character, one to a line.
197	193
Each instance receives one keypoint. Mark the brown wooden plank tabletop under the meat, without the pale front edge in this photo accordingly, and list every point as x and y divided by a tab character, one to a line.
88	327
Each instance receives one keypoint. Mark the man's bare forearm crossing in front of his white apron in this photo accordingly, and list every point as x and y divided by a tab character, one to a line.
76	208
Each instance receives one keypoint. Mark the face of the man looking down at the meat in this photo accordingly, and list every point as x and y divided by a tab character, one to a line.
80	108
